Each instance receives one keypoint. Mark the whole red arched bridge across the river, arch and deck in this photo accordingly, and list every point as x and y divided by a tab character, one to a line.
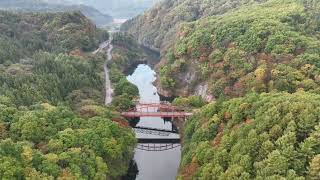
162	109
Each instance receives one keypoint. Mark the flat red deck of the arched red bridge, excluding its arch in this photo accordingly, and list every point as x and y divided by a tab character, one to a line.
155	114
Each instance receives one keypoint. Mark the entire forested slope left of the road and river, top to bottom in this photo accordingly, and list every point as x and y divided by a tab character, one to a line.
53	124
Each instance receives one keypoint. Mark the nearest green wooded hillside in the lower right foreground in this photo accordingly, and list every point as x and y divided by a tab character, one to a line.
267	136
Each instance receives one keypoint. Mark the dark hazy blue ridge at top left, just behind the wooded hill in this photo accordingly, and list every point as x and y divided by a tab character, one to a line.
56	6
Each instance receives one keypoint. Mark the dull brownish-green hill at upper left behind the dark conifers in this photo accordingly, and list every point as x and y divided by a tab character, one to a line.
24	34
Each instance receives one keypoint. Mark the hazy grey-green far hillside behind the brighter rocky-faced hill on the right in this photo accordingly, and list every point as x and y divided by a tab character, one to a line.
158	26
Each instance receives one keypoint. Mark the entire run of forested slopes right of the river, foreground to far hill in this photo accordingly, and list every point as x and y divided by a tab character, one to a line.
257	62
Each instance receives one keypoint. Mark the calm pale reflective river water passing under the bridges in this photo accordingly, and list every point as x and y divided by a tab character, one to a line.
161	165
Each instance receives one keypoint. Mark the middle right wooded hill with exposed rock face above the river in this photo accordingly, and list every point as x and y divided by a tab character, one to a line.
273	46
